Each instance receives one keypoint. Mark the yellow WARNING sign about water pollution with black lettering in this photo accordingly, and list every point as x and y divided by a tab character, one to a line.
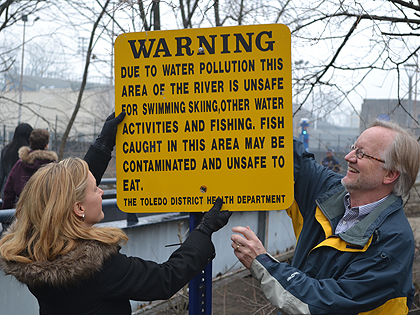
209	113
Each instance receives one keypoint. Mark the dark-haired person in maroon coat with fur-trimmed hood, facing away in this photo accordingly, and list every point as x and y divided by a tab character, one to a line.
30	160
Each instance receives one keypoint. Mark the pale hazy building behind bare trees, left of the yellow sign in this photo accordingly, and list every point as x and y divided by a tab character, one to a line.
49	103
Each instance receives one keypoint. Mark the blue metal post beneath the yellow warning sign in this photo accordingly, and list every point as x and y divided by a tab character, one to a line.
200	288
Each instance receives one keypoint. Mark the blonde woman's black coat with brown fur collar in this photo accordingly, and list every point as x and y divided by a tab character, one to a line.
96	278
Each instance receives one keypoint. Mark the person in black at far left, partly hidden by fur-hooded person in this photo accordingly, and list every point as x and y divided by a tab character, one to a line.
9	154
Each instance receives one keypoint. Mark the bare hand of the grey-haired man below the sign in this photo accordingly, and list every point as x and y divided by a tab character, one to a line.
246	248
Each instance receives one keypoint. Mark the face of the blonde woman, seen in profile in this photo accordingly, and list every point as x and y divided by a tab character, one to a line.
92	204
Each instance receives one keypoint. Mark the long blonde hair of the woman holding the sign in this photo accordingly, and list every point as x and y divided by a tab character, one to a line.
46	225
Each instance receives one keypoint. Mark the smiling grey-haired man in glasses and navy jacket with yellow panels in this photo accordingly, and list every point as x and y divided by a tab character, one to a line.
355	246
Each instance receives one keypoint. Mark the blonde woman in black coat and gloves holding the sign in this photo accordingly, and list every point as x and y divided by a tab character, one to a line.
74	267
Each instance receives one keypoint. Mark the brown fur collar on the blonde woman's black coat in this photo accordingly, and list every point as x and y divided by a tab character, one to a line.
77	265
